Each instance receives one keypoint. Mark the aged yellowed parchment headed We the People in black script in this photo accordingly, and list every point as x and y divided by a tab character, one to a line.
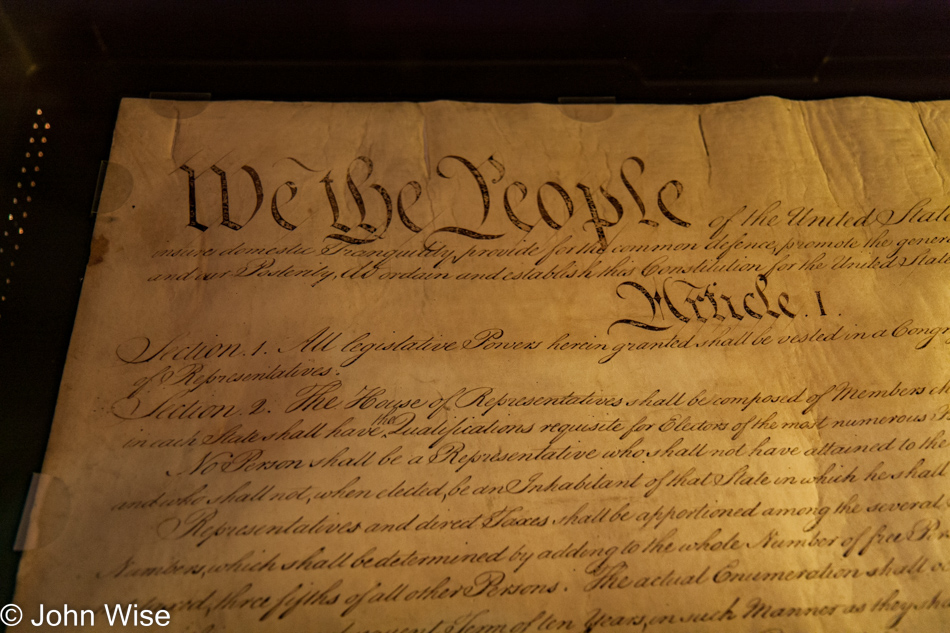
472	368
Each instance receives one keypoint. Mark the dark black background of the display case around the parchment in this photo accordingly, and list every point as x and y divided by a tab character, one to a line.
76	60
